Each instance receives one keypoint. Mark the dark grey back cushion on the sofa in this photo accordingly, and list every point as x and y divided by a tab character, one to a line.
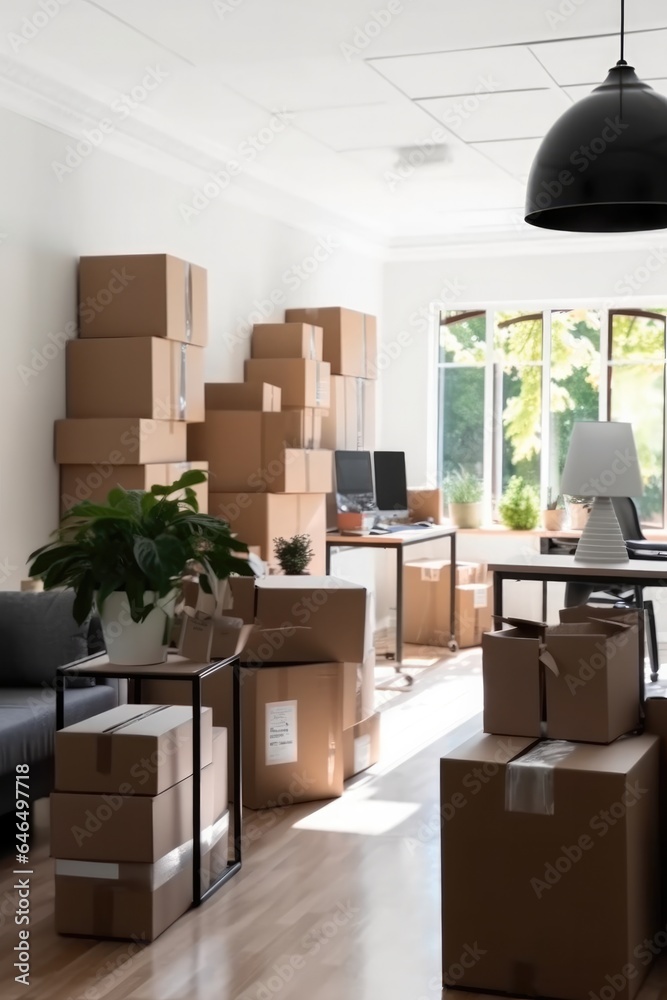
37	634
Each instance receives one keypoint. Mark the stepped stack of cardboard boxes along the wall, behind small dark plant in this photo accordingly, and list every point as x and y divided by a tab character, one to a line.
269	475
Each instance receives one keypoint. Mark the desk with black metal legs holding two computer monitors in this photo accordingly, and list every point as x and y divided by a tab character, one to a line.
385	542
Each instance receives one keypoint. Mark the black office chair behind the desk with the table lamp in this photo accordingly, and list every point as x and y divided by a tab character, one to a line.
626	596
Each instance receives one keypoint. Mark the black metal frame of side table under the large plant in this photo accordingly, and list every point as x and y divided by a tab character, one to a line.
78	669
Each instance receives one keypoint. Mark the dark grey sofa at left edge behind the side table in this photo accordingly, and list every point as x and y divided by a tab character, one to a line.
37	634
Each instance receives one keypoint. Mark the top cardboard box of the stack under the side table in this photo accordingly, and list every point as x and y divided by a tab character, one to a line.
148	747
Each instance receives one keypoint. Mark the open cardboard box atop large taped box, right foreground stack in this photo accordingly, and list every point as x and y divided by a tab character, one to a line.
550	864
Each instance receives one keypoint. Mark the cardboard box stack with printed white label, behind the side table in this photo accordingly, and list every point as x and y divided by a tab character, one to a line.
307	686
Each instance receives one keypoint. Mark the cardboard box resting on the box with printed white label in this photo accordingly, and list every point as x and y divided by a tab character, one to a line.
302	619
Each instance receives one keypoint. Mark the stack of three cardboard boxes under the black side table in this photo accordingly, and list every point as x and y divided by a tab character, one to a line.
121	819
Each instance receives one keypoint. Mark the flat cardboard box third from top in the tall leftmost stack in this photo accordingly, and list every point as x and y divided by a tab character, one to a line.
119	441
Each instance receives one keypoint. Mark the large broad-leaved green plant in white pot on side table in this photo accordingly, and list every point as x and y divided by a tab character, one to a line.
127	557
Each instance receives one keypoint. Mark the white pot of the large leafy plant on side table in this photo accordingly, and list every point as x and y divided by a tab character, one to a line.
137	643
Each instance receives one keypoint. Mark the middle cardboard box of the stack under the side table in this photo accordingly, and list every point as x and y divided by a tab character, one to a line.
122	826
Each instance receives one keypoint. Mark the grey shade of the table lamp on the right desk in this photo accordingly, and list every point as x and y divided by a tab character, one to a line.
602	461
